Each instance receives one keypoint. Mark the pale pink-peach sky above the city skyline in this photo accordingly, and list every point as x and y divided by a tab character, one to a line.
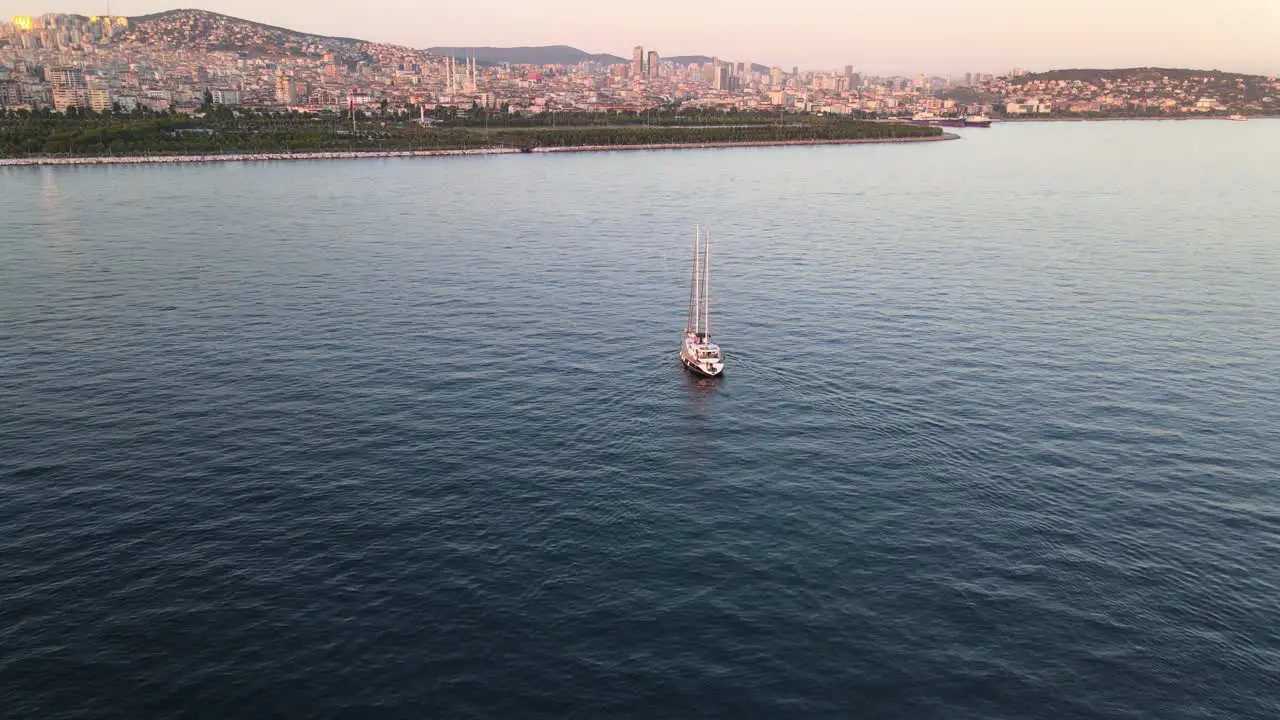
875	37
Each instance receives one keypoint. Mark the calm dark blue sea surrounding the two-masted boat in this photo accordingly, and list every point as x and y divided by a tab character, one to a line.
999	438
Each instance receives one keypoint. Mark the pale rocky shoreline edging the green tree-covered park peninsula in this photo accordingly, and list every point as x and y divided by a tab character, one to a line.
367	154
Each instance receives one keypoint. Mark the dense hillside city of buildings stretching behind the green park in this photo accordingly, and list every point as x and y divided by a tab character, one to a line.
179	61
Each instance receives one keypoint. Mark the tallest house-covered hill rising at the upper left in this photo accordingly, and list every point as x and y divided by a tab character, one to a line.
202	30
